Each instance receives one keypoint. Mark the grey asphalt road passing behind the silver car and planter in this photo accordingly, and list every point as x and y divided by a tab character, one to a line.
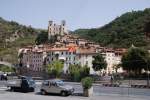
99	90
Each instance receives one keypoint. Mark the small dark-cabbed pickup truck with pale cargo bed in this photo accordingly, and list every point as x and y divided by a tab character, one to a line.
23	83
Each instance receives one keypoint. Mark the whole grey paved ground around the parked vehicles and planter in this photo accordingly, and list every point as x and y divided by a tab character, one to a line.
100	93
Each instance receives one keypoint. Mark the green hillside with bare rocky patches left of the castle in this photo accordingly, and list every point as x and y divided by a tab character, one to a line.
12	37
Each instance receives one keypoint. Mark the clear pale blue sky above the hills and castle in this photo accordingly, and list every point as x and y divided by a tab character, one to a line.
77	13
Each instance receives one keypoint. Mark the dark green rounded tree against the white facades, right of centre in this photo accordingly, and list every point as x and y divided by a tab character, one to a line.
99	63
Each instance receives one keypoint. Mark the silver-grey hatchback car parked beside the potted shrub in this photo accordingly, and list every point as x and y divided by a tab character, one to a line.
56	86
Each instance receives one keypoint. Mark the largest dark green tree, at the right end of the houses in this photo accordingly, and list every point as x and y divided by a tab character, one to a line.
135	60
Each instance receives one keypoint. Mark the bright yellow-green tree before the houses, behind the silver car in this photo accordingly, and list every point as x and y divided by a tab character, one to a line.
55	68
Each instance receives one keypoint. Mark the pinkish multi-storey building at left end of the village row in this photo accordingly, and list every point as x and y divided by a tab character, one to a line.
31	61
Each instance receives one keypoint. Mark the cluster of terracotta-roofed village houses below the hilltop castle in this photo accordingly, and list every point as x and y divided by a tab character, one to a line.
70	50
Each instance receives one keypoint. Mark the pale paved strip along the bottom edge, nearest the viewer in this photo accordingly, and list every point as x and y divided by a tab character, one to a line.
33	96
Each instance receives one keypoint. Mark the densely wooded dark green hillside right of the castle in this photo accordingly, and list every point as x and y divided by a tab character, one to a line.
130	28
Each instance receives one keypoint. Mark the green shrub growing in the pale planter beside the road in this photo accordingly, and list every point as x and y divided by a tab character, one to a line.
87	82
